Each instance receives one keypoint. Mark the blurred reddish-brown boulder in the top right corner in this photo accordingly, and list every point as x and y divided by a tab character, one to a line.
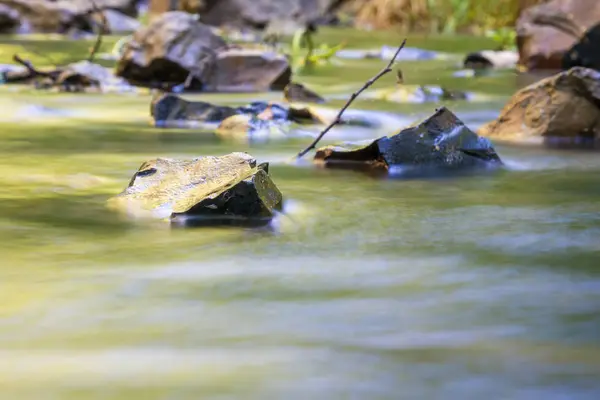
547	31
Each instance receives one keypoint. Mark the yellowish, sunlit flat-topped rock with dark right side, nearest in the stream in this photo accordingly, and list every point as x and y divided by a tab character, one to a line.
227	190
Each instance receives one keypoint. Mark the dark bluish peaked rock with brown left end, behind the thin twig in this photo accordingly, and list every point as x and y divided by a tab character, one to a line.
441	141
